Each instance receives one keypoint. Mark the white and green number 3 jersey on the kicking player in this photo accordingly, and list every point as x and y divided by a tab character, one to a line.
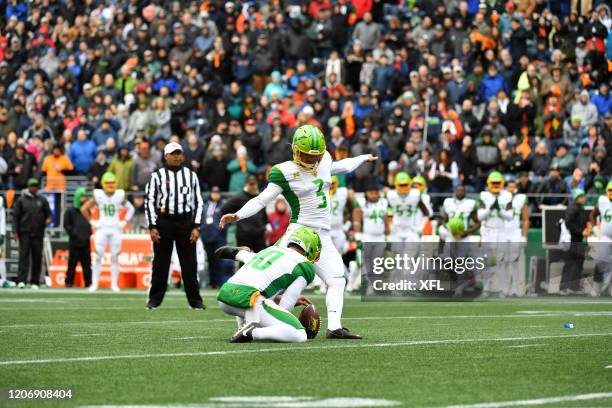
307	192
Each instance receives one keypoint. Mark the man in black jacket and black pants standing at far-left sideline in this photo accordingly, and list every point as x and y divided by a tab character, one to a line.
31	215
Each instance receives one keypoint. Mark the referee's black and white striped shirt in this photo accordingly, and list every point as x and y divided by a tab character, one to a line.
173	193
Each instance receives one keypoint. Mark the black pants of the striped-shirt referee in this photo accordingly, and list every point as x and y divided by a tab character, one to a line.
174	230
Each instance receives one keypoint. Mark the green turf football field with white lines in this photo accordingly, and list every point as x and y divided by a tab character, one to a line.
111	351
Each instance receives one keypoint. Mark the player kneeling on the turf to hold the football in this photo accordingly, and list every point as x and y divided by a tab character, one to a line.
249	293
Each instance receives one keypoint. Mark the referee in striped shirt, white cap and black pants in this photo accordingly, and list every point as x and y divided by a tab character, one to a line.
173	207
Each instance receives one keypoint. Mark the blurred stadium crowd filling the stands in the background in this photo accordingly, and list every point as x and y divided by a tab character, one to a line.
450	90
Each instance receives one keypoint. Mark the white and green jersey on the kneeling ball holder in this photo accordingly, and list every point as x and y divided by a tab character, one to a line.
273	270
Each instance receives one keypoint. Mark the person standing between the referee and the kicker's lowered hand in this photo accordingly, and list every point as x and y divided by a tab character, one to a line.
213	237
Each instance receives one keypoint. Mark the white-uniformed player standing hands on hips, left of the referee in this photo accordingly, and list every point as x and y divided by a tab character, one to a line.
109	201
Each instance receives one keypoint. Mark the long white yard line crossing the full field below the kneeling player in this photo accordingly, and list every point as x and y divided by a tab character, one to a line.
294	348
